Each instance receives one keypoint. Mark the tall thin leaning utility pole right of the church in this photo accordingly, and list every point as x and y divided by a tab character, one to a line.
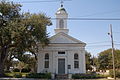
113	58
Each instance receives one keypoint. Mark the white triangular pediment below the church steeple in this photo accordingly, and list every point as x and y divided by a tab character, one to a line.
64	38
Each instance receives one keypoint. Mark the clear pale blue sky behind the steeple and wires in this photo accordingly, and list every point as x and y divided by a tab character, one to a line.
93	32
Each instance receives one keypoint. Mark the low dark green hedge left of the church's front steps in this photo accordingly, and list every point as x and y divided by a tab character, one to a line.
39	75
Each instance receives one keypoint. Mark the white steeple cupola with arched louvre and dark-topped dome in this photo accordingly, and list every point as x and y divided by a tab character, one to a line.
61	20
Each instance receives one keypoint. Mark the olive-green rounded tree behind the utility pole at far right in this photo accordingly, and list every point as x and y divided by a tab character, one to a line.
105	59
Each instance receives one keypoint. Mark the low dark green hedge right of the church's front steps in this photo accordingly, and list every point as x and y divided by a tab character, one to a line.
87	76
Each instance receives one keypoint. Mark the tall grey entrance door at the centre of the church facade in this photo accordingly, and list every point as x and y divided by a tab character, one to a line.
61	66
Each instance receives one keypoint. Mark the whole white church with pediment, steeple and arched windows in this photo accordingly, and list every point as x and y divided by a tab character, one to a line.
64	54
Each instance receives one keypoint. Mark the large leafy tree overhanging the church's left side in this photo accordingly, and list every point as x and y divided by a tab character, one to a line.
20	32
